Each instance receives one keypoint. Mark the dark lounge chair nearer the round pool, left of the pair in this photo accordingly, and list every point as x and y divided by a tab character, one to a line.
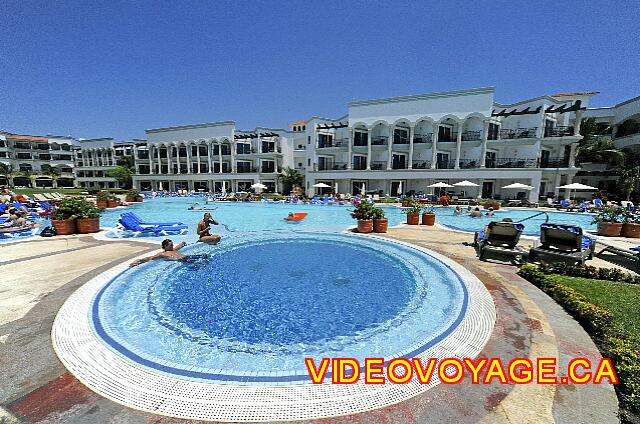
501	239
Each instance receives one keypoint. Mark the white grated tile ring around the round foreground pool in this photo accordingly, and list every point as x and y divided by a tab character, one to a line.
122	381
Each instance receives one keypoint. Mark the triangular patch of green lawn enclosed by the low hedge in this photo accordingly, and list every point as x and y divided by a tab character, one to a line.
620	299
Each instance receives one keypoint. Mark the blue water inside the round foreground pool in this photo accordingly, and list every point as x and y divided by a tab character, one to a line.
261	304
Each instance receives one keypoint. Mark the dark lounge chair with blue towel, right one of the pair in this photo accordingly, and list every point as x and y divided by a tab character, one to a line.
562	243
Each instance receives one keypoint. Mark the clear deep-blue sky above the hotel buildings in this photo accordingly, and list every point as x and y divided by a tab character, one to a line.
115	68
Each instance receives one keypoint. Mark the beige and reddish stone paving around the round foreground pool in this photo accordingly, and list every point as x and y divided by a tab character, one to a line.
39	275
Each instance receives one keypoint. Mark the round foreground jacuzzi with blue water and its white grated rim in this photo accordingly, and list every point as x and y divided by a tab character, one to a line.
226	337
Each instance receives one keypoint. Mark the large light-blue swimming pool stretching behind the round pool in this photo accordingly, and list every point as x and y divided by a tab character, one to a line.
242	217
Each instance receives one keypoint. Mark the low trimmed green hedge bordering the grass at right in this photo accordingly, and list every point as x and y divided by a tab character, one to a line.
599	323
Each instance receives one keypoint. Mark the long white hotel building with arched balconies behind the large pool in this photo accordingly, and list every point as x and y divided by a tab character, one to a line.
391	144
